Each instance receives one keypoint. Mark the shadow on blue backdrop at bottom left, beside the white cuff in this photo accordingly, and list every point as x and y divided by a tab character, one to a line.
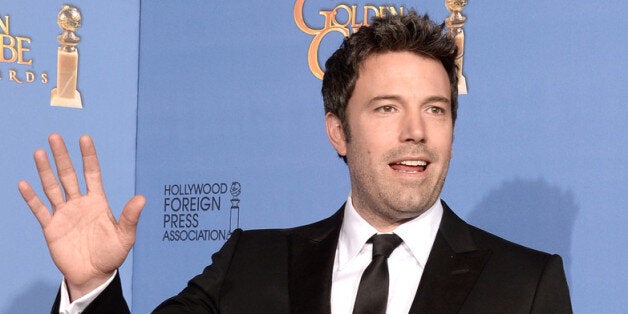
36	298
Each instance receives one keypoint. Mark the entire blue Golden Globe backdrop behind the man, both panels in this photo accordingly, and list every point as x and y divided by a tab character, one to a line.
218	120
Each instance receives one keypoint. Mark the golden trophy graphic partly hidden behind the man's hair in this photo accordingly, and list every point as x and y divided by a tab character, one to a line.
454	22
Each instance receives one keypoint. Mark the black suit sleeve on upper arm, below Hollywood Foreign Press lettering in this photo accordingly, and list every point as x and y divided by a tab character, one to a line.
202	295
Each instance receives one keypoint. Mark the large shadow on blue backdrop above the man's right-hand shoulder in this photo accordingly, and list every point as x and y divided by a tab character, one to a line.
533	213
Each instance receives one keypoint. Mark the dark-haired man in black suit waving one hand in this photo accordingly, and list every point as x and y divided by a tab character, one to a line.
390	94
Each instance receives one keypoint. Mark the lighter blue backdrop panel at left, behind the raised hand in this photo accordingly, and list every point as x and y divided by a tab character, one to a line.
107	80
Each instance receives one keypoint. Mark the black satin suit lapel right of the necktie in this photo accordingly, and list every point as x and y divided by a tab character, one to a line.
452	269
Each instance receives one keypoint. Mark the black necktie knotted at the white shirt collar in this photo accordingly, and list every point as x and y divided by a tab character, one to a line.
373	290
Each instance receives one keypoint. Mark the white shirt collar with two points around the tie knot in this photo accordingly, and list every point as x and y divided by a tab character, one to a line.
417	234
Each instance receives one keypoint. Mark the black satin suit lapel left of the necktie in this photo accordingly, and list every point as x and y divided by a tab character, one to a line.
312	253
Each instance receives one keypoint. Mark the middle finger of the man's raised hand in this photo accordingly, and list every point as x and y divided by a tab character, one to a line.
65	170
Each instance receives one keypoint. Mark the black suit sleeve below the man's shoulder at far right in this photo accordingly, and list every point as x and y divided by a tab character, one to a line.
552	294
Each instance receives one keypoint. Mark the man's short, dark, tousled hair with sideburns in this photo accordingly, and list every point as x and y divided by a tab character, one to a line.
411	32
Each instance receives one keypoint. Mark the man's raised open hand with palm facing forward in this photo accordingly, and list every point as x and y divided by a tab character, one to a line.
85	241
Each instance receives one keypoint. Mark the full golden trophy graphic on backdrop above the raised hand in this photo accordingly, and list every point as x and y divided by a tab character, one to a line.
65	94
